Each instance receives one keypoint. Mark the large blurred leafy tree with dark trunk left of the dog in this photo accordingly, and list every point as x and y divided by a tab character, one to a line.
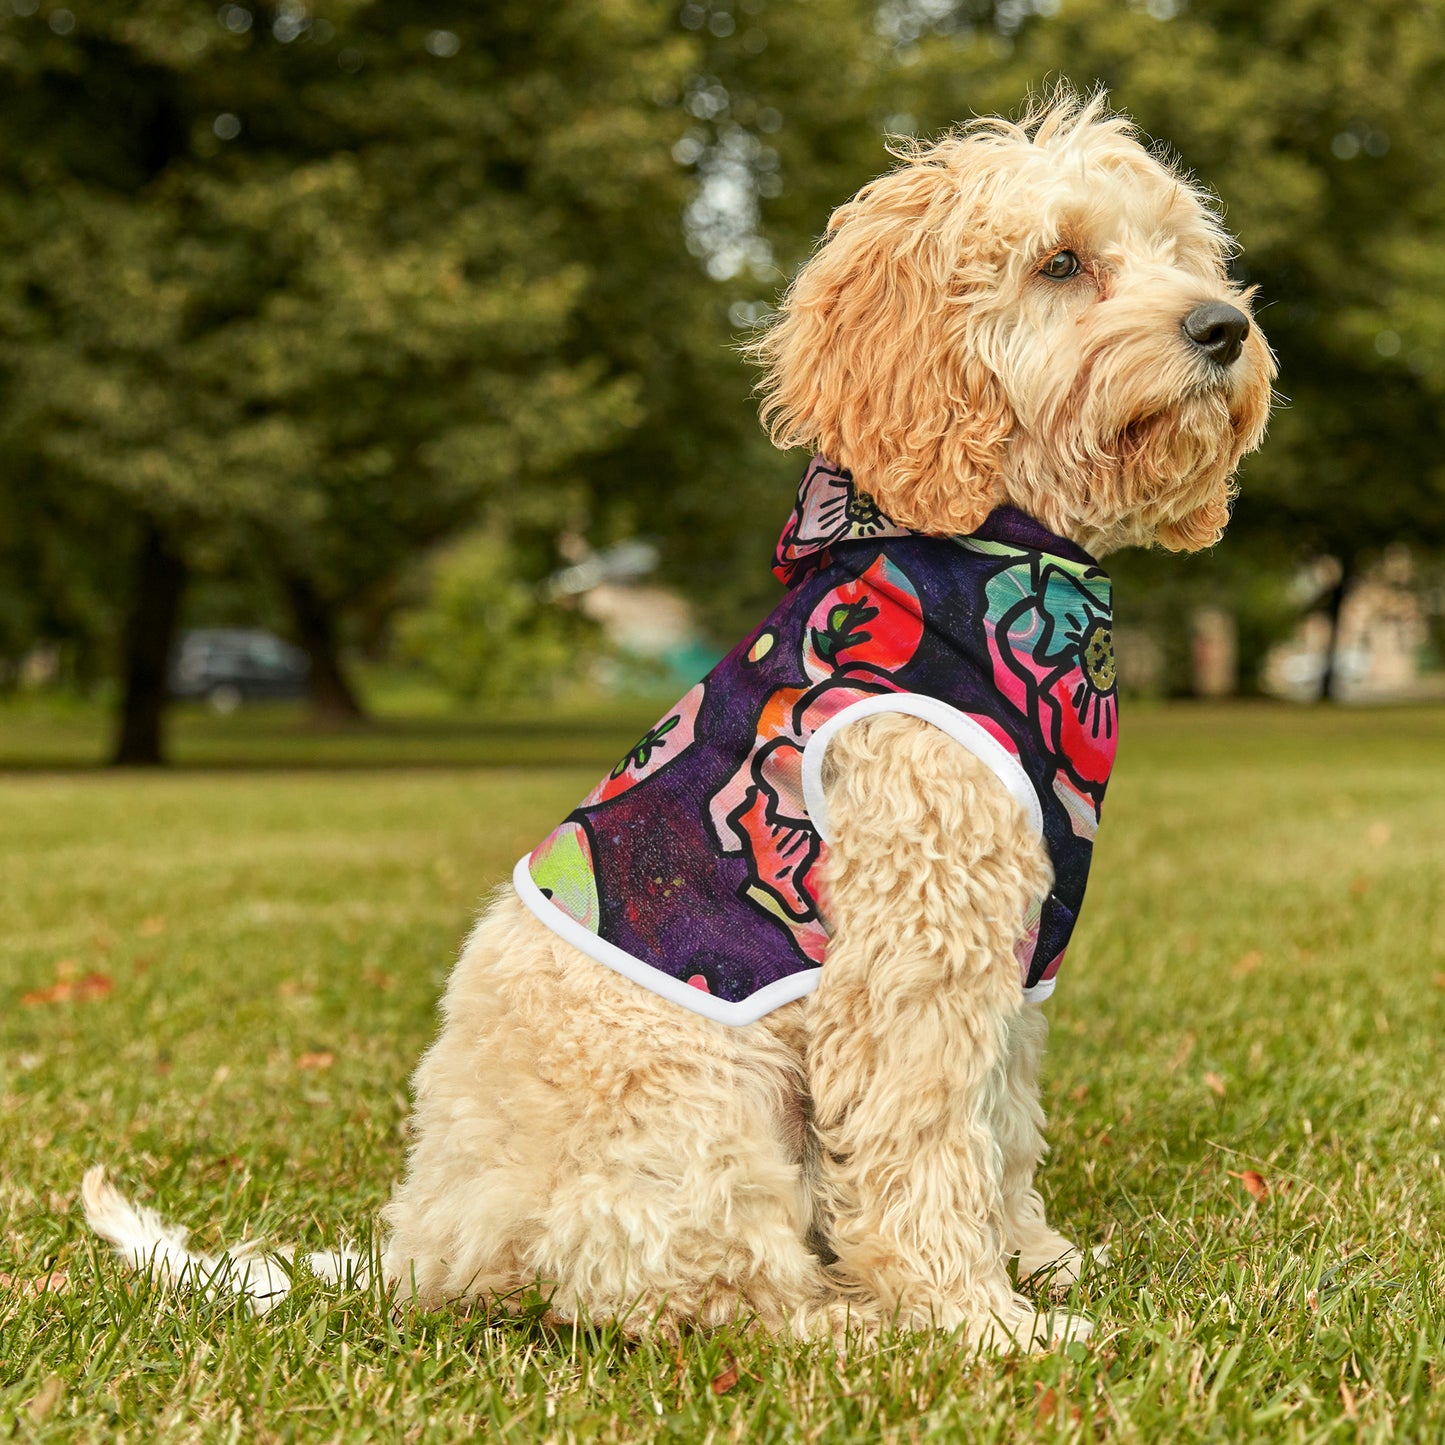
306	282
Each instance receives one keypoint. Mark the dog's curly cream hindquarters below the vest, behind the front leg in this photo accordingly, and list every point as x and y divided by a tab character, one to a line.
580	1136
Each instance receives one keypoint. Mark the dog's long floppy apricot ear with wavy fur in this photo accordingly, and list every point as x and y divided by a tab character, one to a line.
872	359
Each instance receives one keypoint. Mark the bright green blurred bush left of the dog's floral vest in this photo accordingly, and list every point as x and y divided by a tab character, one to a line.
485	634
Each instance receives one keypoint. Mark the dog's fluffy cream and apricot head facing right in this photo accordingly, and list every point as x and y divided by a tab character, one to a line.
1035	314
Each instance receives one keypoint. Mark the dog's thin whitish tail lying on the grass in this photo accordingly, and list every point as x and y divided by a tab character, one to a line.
147	1243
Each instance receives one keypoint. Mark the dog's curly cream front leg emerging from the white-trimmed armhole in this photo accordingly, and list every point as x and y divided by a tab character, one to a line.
931	875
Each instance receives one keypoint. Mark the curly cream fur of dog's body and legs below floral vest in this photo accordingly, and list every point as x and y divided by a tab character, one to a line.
639	1163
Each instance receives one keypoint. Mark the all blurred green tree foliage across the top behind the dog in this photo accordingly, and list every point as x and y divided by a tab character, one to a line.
324	284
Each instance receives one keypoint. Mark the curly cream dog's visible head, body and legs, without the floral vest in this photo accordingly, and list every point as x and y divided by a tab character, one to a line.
1034	316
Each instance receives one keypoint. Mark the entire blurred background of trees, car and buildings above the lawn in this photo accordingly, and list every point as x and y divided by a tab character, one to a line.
372	362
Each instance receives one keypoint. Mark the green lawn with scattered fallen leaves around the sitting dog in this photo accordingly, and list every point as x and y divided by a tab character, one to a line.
1259	986
